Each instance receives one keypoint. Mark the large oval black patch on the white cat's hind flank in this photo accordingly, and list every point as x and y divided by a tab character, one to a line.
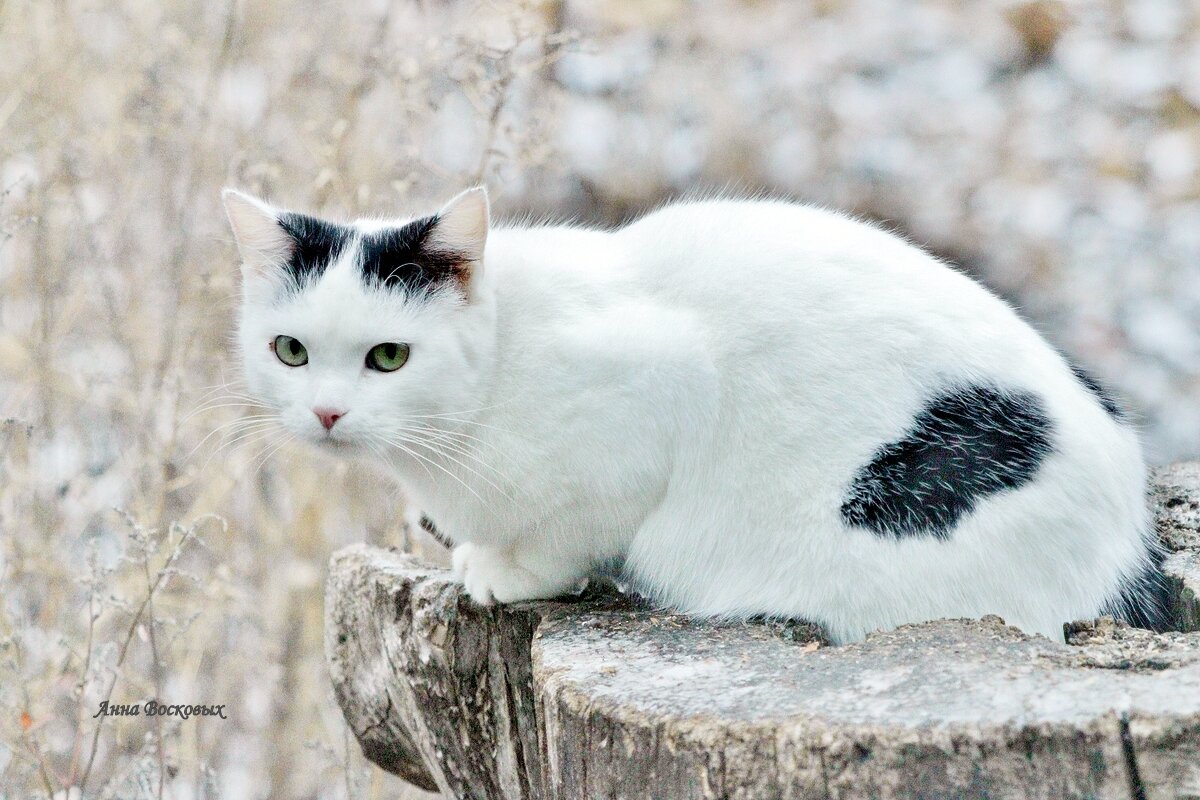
964	446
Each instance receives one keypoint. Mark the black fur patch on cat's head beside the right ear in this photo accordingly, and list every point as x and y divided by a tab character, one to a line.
405	260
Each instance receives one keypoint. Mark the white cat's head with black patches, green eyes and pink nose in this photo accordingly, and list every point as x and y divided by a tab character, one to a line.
357	335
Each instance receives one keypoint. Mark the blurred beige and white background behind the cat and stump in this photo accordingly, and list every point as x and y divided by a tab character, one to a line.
154	543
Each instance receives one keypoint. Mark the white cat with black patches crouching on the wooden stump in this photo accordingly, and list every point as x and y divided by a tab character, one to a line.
752	407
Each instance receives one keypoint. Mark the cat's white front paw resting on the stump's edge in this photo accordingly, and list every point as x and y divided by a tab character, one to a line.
513	574
